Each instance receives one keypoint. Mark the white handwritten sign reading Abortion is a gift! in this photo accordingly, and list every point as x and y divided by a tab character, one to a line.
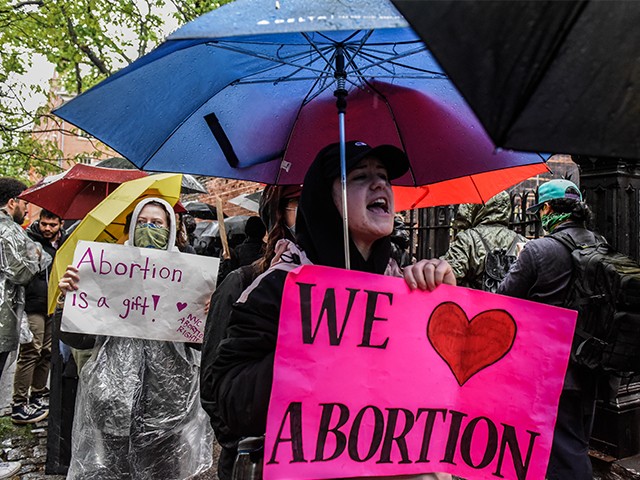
139	292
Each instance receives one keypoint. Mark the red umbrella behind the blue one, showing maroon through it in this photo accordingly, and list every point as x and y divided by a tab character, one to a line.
435	135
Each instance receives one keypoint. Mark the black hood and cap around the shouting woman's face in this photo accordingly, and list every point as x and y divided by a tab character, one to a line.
319	223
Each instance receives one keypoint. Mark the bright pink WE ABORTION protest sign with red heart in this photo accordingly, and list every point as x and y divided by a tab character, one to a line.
371	379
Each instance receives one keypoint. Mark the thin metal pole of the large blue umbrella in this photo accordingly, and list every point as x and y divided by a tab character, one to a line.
341	103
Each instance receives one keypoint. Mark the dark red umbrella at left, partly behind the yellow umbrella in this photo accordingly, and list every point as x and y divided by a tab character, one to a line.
72	194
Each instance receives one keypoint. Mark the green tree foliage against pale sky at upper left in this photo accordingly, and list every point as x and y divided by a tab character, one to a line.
86	41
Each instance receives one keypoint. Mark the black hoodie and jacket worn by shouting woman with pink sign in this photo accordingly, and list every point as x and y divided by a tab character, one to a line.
236	388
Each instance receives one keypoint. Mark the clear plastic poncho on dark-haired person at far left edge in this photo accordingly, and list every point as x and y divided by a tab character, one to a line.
20	259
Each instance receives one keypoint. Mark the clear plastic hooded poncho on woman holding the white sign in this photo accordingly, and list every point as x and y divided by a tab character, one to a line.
138	412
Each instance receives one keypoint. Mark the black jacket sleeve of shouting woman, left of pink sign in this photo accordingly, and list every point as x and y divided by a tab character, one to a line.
235	378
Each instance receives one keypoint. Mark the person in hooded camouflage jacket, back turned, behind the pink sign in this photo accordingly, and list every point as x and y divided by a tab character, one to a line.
480	226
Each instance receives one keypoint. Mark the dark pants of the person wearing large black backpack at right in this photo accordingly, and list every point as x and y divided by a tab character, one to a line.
570	450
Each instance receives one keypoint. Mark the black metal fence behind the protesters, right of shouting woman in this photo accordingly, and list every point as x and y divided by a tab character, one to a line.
431	232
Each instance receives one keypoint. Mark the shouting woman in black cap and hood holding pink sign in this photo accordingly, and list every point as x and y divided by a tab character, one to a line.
243	368
